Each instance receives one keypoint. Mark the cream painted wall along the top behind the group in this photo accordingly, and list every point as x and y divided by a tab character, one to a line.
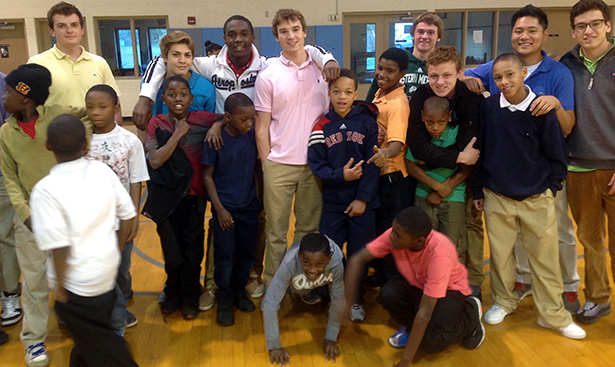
211	13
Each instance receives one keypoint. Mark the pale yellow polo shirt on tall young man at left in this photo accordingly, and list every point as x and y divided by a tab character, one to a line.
70	80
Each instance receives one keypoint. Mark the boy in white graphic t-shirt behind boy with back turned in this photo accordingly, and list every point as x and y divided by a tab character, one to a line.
121	151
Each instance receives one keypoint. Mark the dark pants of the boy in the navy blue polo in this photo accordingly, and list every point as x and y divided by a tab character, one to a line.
234	253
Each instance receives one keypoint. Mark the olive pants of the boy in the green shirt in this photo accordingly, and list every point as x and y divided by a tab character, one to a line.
448	217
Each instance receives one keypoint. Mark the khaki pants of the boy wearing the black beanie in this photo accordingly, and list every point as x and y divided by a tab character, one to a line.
34	289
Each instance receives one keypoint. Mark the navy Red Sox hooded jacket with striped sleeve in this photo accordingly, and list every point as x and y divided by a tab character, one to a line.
334	140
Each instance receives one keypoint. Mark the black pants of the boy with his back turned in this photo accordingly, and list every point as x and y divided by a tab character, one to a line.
87	319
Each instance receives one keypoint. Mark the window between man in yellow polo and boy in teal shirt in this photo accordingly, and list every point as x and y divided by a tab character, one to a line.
129	44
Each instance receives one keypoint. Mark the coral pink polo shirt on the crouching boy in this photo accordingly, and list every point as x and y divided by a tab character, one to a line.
435	269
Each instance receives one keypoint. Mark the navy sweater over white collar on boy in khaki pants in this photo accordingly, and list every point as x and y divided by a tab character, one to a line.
520	155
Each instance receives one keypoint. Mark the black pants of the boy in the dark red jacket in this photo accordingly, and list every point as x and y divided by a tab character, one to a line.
182	237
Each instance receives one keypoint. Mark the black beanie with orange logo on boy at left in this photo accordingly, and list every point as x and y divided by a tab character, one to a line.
31	80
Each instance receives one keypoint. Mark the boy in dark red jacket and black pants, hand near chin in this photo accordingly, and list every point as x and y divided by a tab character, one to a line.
181	228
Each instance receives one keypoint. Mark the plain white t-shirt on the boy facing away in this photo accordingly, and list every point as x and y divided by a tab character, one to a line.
76	206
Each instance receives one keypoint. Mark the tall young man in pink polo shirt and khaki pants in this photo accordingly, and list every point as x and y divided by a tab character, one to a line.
291	96
